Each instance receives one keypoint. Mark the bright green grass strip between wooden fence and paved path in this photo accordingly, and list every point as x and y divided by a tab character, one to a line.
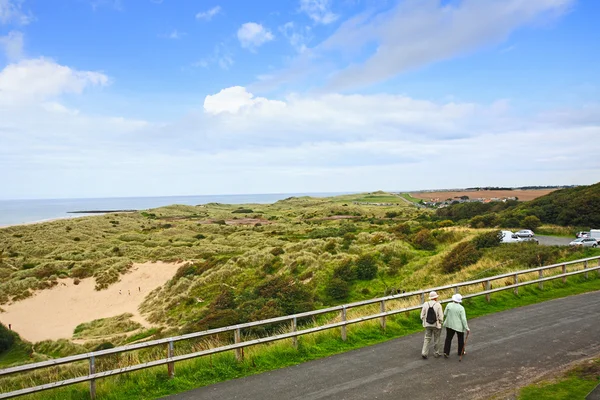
153	383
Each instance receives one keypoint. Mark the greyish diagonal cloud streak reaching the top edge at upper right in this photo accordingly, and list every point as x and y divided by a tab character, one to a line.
375	46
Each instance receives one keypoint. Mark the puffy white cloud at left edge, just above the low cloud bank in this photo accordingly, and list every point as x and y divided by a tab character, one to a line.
41	78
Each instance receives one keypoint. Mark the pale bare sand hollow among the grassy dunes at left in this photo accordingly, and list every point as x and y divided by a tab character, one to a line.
54	313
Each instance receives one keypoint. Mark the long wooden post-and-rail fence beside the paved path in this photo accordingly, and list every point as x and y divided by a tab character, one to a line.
239	345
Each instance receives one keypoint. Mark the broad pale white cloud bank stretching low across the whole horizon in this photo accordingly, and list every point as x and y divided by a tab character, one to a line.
242	143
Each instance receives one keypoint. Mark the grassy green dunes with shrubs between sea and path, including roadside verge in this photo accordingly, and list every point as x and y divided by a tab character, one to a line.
244	262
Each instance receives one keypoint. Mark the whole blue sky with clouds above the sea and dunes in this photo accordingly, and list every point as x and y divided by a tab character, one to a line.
117	98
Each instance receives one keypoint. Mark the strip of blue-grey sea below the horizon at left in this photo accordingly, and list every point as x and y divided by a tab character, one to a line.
16	212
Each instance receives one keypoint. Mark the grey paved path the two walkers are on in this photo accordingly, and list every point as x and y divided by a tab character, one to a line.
505	350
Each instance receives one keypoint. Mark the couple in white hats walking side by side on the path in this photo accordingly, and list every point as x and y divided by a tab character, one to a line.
454	319
